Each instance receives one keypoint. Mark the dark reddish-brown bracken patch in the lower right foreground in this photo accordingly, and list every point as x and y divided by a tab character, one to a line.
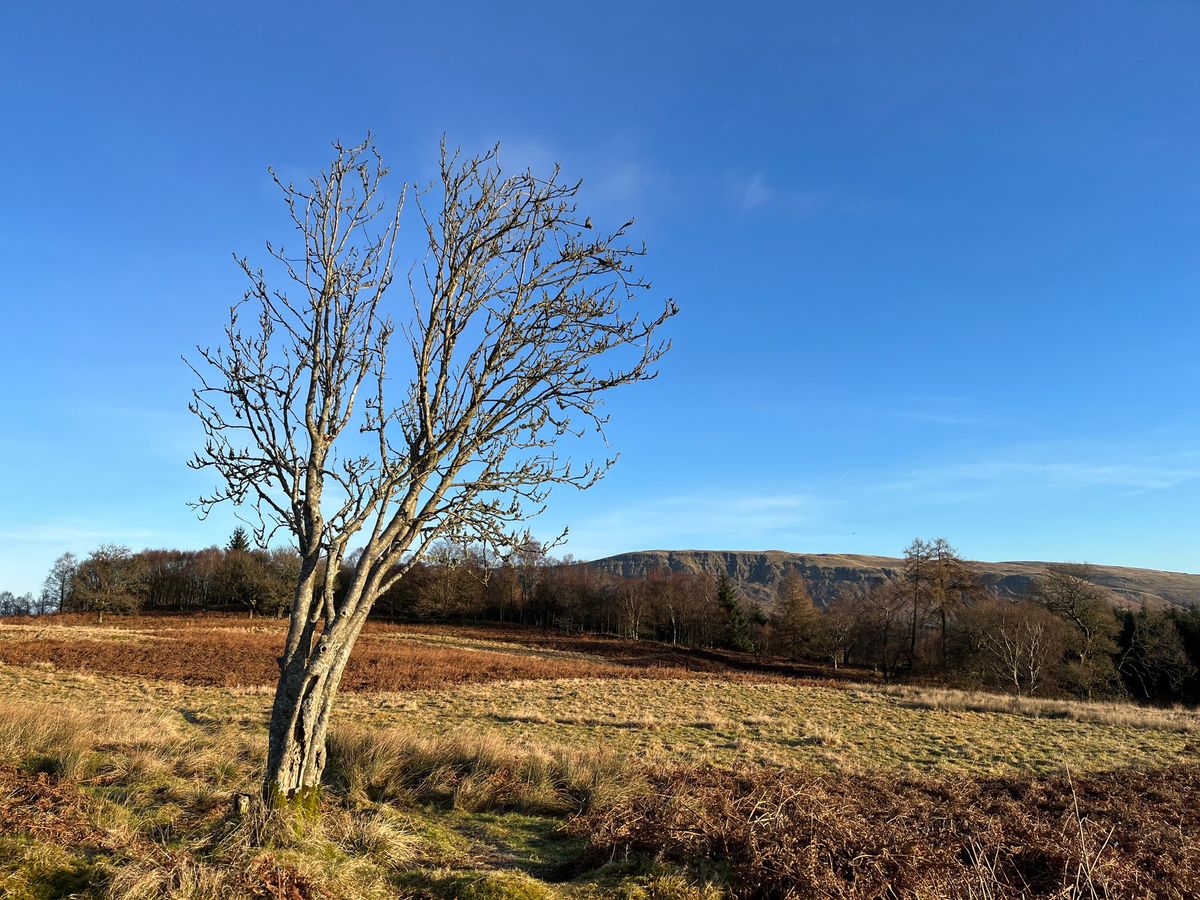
794	835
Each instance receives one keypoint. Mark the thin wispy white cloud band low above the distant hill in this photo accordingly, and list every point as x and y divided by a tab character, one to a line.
859	511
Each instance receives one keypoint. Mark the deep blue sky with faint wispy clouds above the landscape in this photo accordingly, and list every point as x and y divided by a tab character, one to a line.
938	262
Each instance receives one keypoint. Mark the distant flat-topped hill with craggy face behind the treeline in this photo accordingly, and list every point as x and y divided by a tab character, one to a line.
757	573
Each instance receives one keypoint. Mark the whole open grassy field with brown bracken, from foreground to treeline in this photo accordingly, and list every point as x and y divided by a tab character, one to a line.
476	764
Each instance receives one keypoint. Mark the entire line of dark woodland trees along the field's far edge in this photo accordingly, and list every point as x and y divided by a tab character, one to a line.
935	621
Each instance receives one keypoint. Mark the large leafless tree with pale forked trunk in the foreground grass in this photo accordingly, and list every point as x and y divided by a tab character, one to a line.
518	329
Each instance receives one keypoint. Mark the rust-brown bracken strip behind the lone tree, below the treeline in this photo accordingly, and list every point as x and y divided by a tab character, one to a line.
230	651
